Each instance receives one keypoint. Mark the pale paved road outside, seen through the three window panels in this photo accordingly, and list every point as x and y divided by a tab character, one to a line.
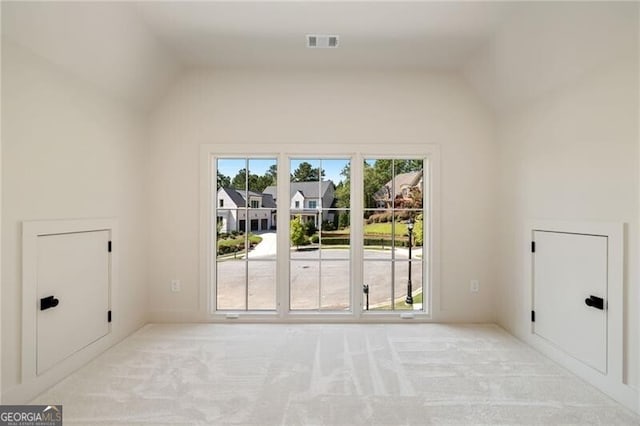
314	284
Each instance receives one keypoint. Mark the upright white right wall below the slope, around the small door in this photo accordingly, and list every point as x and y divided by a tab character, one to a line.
572	155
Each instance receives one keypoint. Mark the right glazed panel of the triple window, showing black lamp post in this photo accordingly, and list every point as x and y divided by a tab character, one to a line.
393	197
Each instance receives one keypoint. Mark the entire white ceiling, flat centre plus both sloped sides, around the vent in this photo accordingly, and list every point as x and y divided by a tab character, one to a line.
508	51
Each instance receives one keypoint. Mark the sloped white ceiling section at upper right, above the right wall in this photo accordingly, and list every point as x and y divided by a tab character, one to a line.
546	45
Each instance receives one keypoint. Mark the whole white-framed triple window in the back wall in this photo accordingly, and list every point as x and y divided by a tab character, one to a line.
322	234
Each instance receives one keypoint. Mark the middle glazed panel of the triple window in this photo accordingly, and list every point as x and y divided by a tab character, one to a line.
320	254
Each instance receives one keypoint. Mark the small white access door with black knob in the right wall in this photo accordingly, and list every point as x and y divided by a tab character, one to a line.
570	281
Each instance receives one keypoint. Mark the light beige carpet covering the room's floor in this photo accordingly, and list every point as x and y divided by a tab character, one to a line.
405	374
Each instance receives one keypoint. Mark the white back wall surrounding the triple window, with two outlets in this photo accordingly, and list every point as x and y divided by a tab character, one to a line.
248	108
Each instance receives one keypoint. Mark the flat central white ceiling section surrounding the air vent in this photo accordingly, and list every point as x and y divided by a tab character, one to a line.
380	35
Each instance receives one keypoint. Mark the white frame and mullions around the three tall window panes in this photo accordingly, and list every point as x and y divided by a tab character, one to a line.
284	152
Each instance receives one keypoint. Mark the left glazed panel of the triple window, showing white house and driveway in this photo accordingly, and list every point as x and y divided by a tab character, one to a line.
246	249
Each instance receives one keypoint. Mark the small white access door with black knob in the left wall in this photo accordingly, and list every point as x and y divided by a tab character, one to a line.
74	269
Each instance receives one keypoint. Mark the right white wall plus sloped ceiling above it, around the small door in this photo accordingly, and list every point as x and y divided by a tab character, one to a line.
563	80
